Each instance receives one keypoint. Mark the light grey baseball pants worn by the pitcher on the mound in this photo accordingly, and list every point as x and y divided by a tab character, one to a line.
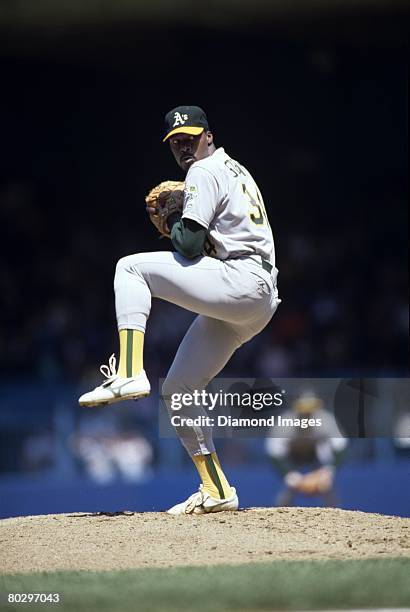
235	299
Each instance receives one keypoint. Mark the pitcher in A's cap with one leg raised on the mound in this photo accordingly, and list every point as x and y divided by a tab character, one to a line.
223	270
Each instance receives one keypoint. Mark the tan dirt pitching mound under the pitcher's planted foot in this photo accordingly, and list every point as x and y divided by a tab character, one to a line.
105	541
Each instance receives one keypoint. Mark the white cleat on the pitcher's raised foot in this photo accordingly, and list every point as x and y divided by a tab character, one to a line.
116	388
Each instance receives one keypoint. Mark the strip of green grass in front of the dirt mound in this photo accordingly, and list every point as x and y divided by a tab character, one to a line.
296	585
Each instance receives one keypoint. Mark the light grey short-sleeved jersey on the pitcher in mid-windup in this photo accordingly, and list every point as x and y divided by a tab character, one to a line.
222	196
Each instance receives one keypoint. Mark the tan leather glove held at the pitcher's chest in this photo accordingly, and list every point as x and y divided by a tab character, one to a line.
163	200
